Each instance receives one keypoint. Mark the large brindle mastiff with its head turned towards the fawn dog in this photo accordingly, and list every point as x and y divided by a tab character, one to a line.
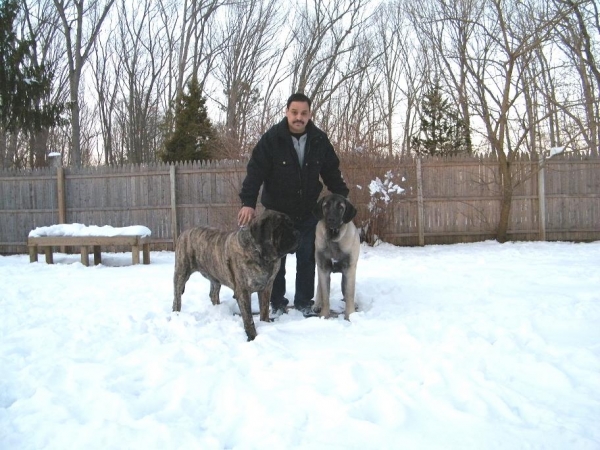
246	261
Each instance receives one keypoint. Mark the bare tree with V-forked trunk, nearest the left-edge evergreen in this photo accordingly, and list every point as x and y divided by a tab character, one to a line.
81	23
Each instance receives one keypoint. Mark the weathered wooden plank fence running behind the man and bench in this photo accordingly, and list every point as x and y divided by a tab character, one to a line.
443	200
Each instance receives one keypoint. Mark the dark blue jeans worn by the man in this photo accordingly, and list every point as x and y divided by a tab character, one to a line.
305	264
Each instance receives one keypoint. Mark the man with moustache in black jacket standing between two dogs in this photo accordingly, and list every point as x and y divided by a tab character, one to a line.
287	162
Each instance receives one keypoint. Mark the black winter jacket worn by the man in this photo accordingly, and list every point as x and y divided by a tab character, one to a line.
288	188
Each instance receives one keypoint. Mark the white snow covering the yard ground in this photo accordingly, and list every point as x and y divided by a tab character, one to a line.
472	346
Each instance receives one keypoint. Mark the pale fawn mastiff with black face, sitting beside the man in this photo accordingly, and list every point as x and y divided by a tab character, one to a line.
337	246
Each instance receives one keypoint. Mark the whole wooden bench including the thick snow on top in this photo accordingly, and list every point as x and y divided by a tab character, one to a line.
78	235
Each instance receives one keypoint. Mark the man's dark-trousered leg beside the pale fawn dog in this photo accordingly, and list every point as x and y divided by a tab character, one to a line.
305	264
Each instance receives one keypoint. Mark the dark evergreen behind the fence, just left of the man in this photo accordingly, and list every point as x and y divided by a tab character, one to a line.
193	135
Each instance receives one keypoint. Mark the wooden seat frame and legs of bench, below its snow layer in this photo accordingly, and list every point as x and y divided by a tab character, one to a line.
85	242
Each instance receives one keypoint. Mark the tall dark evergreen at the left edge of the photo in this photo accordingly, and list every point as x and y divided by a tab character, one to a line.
24	84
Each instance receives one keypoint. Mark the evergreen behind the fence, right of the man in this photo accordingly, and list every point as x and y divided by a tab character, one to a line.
442	131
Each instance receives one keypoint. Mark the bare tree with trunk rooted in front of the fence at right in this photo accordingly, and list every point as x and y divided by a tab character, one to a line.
508	35
